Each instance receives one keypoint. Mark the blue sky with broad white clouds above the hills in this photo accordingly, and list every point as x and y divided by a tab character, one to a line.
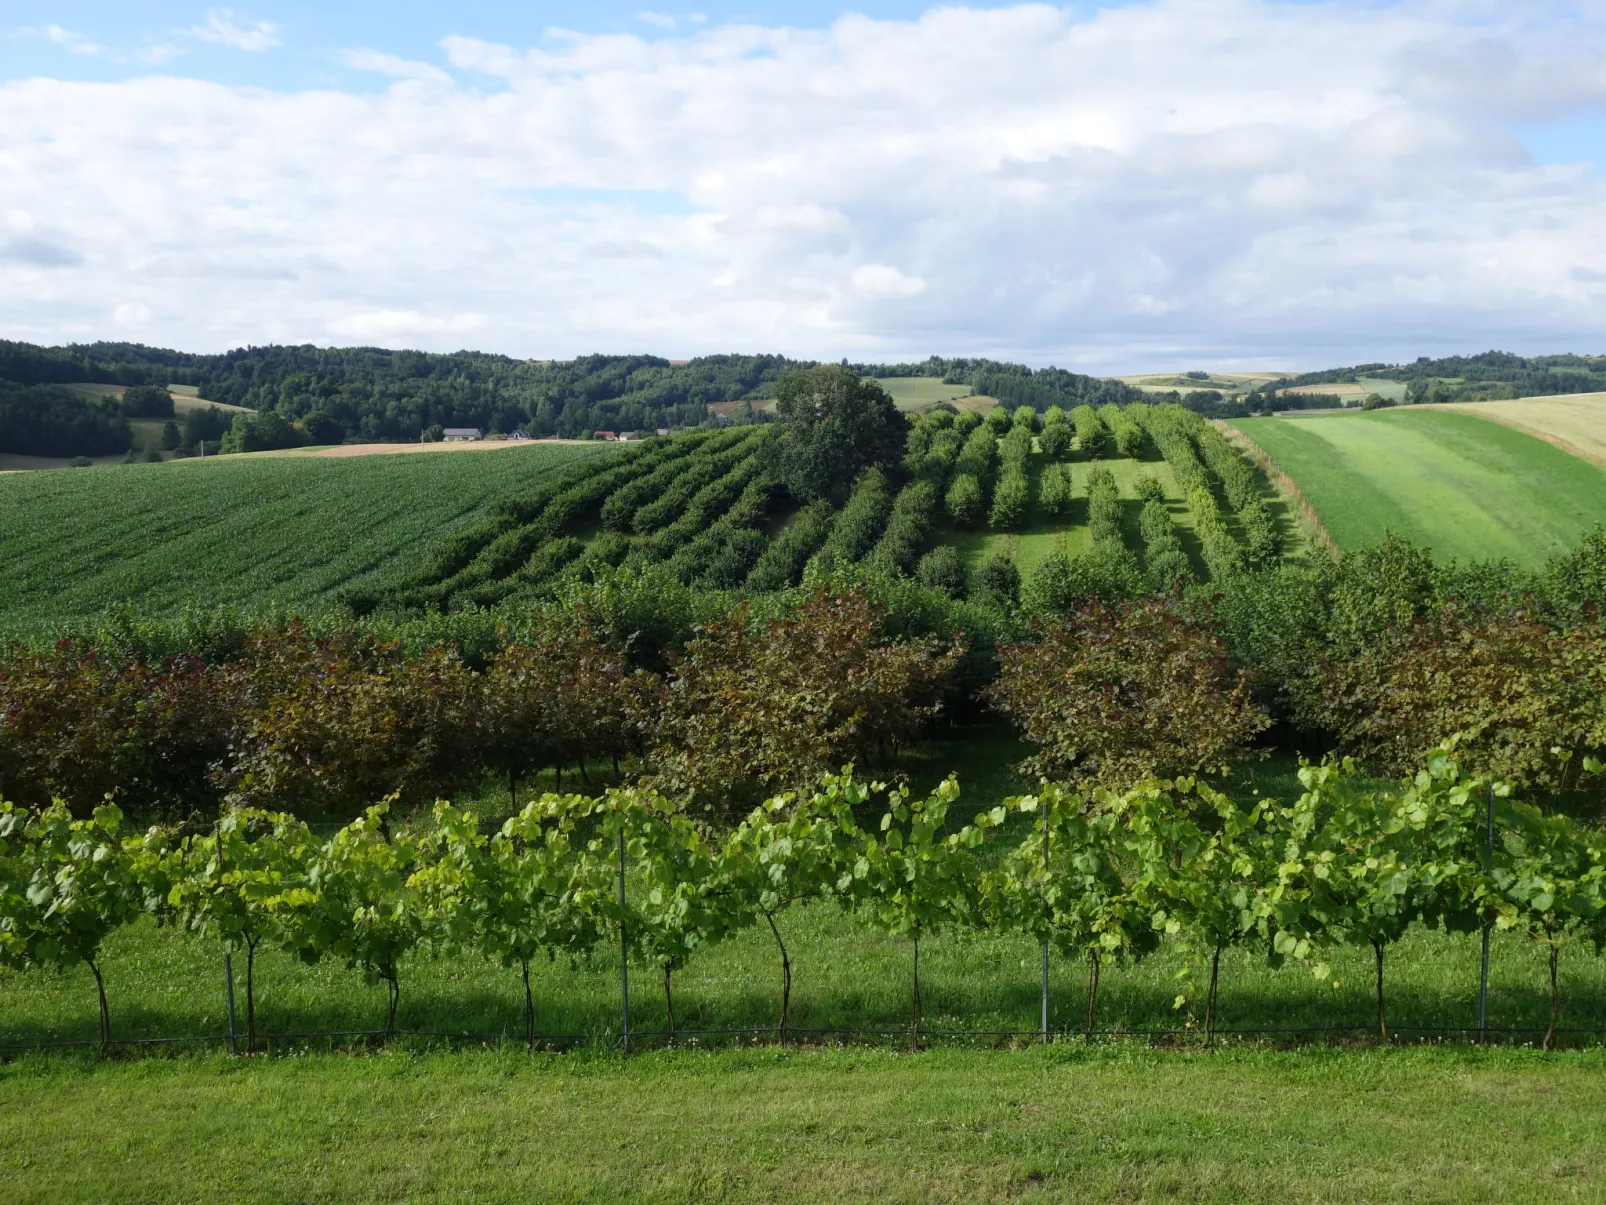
1156	186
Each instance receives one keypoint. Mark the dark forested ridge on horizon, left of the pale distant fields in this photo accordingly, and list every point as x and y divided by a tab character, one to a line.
377	396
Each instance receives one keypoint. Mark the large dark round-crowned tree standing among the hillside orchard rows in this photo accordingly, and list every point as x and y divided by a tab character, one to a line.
833	428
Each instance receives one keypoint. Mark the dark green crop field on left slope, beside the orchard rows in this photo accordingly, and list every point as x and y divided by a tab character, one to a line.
251	533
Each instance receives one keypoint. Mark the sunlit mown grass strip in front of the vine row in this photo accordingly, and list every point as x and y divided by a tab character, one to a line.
1059	1125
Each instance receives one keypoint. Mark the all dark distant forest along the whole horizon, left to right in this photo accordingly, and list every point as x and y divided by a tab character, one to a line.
327	394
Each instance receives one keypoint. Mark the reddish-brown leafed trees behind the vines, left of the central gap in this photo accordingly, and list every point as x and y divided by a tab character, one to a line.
322	727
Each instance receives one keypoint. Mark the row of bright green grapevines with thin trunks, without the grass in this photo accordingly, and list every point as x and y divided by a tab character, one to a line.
1106	878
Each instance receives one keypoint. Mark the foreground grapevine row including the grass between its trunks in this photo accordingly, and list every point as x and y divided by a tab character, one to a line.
1331	886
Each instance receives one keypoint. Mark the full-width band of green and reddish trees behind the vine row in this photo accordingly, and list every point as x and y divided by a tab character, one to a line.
720	701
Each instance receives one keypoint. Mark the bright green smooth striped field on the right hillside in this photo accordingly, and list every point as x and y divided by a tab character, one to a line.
1462	486
